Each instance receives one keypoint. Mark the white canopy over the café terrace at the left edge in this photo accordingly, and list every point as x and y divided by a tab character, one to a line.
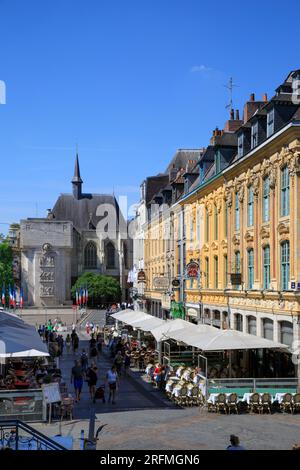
18	339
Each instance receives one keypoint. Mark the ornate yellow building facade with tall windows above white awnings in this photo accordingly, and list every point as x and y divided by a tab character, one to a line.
248	223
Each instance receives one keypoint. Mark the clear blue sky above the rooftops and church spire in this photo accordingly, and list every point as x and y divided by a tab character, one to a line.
129	81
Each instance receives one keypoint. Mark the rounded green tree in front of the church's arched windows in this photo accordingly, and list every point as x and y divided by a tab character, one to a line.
101	289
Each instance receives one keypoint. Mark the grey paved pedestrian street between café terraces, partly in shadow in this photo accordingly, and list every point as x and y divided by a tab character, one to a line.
144	419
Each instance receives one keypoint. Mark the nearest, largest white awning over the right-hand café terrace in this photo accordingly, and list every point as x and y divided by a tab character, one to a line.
209	338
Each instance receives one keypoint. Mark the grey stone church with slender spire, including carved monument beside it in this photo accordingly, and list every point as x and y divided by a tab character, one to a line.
75	237
